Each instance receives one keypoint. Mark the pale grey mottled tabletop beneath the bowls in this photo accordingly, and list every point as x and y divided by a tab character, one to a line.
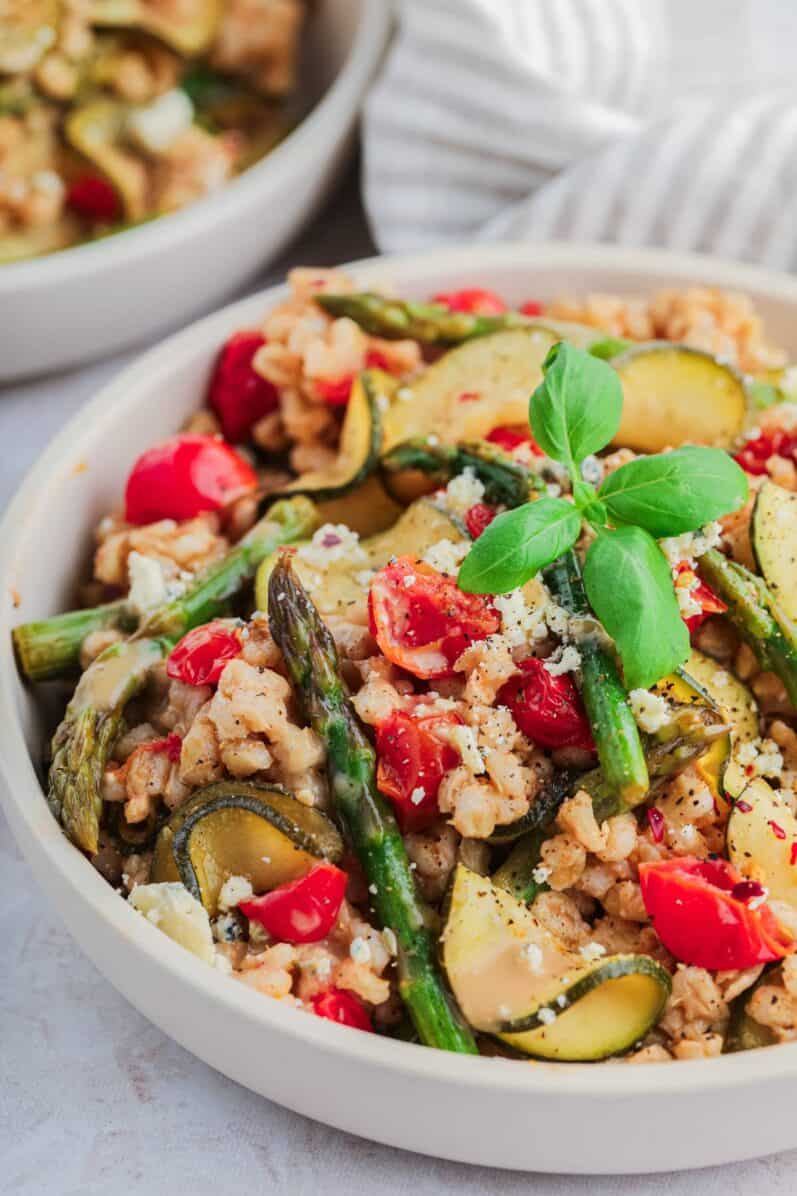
95	1101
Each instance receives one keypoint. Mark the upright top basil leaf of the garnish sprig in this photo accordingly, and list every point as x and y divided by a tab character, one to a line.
576	410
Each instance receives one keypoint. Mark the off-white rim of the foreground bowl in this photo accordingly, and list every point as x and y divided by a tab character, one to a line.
22	790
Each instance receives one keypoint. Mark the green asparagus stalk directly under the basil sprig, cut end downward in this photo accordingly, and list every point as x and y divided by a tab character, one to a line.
615	730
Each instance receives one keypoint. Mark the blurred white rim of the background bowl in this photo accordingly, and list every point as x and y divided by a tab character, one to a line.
343	96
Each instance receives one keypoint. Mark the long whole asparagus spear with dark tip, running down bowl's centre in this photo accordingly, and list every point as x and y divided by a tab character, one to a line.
312	662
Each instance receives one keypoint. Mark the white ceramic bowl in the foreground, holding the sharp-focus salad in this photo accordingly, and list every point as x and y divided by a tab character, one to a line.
539	1116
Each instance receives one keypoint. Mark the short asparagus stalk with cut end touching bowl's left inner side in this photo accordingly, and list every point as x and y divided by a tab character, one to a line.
51	648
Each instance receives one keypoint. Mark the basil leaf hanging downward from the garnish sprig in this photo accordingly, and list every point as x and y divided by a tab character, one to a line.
630	588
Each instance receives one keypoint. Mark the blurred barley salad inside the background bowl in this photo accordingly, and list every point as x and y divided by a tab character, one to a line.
117	112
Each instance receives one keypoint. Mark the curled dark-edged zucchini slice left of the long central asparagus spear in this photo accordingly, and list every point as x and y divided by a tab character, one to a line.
241	828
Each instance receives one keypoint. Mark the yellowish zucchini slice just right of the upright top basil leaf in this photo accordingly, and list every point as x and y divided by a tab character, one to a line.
674	395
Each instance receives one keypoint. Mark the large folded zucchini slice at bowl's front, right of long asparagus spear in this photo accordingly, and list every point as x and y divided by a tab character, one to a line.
516	981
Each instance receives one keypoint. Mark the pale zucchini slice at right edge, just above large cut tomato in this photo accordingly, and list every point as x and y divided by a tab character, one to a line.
756	826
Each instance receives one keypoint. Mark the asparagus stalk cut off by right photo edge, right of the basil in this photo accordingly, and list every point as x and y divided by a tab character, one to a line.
756	615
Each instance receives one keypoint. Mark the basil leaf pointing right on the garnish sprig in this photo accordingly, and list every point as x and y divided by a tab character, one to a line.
676	492
